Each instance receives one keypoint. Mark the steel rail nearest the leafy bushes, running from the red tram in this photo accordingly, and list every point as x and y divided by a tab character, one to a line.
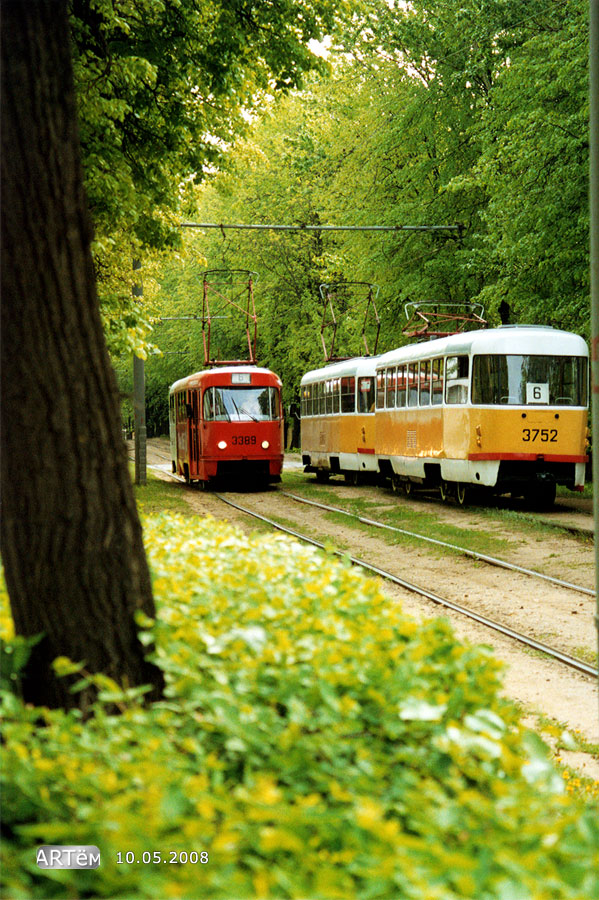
569	661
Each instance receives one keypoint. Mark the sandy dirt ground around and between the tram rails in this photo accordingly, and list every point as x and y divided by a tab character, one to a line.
555	616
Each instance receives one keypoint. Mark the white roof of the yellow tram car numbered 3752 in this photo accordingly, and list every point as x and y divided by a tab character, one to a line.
532	340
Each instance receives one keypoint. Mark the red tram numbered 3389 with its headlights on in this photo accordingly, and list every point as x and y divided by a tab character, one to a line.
227	423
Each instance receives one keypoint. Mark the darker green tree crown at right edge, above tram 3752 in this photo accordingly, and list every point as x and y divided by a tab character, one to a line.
534	250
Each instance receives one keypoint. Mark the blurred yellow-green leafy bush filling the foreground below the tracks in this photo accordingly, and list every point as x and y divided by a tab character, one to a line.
313	741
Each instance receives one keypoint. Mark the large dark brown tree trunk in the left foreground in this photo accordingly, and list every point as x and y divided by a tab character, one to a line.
71	540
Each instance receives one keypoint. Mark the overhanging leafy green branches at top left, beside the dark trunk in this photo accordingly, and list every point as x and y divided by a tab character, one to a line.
162	88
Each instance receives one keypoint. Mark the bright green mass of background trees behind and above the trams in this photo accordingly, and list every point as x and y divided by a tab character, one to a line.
473	115
